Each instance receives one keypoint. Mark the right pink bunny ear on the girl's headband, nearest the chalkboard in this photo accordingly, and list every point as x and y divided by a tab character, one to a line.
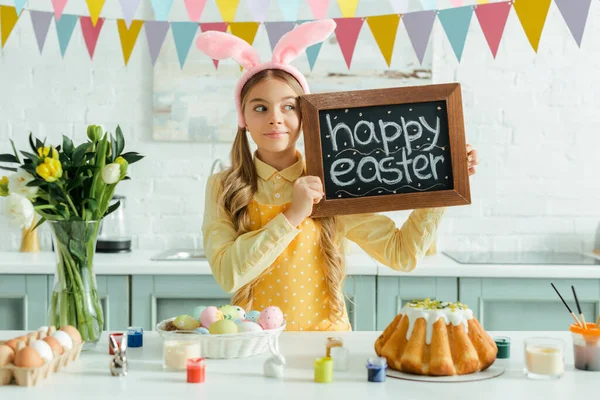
293	43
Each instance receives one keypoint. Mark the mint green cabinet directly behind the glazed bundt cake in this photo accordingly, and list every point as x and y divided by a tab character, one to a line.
393	292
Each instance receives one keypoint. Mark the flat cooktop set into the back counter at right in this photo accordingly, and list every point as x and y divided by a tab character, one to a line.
525	257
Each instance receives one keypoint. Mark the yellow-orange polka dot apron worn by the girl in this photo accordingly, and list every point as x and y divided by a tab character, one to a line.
295	282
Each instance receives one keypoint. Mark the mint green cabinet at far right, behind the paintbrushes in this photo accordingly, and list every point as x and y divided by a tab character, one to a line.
522	304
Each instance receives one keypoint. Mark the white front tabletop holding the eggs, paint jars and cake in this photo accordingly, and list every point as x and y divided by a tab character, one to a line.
89	376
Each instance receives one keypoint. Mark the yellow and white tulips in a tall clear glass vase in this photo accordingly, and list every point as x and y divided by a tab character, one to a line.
71	187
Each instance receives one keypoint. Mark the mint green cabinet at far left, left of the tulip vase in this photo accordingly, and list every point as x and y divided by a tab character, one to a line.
23	302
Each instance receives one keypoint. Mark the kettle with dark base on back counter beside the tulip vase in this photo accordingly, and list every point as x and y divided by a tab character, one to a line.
114	236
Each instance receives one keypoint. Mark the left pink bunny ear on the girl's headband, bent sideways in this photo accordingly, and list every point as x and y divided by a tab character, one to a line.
219	45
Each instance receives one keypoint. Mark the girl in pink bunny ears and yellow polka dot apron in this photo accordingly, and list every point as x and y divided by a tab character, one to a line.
259	238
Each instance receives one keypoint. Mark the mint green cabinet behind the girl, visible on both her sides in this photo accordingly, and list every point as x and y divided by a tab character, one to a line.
156	298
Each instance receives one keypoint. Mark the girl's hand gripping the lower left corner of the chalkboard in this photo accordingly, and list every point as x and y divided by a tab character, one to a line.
308	190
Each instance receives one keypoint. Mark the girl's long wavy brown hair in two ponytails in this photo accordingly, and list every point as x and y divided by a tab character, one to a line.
238	187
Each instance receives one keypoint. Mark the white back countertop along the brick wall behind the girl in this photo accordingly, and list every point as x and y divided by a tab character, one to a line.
138	262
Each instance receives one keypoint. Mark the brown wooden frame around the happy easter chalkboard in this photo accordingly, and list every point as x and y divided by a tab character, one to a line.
311	104
